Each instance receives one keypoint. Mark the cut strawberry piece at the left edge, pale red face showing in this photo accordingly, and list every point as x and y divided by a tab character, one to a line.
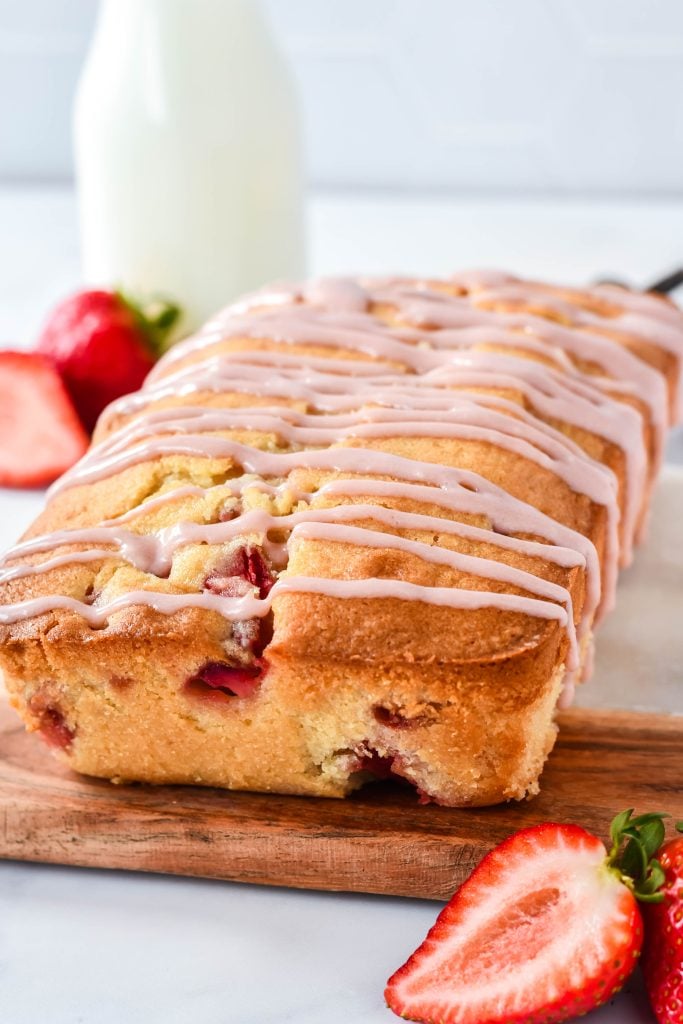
40	432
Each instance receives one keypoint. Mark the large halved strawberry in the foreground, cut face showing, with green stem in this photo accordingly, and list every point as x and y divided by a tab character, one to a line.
545	929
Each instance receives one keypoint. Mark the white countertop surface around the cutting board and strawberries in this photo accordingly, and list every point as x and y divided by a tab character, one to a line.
96	948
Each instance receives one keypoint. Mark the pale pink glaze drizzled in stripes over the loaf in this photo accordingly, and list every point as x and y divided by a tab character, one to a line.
397	382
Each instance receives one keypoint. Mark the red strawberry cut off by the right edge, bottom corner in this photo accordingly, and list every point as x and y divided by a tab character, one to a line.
663	954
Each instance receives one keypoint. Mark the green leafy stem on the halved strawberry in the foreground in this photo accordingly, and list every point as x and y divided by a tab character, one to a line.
632	857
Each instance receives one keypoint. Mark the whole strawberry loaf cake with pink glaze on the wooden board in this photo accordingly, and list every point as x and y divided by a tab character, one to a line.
351	530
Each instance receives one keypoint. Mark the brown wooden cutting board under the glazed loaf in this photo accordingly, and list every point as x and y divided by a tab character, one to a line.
380	841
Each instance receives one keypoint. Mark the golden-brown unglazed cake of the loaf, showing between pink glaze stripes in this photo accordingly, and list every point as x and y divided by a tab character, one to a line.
460	702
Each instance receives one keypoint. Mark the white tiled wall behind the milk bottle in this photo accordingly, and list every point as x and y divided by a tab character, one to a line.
553	97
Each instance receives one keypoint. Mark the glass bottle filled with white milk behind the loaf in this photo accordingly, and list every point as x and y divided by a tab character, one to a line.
188	154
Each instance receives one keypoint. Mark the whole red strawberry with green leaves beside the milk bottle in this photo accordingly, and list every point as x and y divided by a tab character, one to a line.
104	347
